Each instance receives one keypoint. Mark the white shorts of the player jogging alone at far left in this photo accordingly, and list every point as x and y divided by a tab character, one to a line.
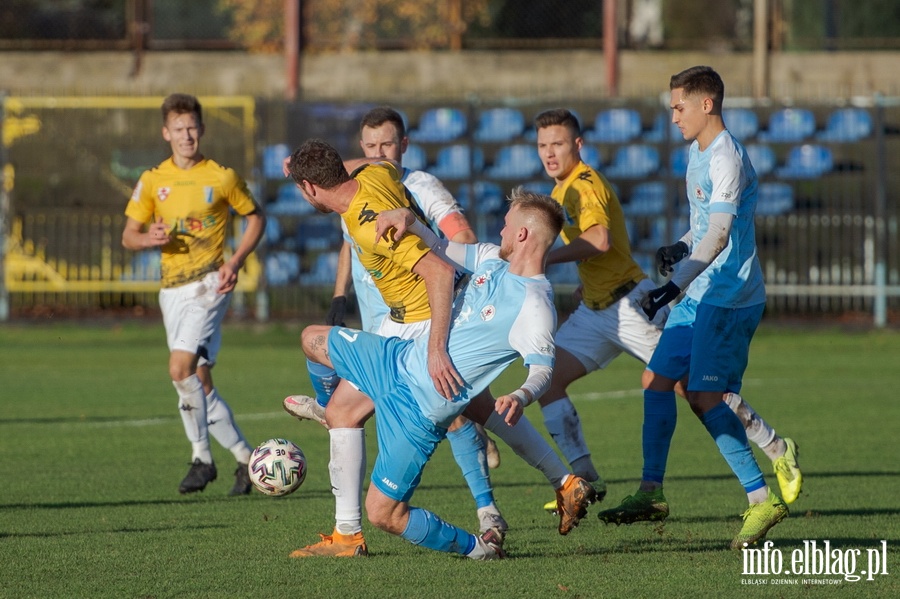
193	315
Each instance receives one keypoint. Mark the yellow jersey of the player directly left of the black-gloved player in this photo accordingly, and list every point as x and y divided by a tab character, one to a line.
587	200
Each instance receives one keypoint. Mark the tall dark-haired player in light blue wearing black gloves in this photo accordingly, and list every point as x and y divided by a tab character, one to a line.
707	336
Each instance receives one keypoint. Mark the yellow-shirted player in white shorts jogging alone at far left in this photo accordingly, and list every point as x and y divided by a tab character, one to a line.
181	207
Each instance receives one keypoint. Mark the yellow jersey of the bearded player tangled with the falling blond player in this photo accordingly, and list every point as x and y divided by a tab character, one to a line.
389	265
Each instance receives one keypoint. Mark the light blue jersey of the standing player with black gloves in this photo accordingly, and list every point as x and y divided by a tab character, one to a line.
722	179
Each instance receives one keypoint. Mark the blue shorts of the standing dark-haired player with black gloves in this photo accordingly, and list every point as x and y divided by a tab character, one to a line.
709	344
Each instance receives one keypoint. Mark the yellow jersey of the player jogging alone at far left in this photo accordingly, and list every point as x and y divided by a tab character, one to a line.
194	205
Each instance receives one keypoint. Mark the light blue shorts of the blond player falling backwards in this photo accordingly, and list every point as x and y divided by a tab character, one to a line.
406	439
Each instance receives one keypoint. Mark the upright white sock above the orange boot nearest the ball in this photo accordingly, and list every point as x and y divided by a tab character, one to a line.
348	468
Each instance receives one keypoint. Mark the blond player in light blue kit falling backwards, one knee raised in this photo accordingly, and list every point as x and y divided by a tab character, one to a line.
505	311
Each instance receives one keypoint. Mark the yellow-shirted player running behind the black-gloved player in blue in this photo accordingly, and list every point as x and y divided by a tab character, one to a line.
608	320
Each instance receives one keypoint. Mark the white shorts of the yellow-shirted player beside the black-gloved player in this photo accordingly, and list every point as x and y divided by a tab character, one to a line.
596	337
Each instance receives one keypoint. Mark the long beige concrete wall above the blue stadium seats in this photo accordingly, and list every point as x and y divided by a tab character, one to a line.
440	75
